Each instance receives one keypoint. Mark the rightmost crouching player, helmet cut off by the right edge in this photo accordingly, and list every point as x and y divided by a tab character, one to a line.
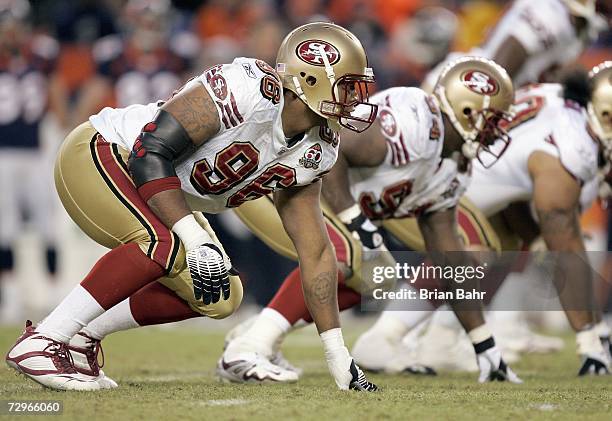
558	134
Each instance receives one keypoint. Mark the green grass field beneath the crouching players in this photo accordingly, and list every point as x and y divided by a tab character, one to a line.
169	374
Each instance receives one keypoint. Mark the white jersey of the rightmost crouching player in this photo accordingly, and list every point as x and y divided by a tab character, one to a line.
544	122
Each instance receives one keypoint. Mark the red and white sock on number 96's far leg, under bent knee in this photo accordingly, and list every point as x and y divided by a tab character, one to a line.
153	304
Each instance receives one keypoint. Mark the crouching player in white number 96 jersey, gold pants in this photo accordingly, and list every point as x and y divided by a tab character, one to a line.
237	132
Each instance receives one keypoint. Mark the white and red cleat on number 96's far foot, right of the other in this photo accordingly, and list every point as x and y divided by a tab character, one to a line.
85	350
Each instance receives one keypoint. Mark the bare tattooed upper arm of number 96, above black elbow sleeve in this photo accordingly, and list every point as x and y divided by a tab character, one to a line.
196	112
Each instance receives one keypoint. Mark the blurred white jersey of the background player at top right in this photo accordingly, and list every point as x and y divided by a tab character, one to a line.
544	29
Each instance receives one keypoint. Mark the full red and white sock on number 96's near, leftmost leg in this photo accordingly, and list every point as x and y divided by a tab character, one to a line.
116	276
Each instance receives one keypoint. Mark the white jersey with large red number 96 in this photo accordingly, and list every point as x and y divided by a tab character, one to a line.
249	157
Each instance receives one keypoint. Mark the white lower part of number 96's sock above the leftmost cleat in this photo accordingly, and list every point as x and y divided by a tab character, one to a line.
71	315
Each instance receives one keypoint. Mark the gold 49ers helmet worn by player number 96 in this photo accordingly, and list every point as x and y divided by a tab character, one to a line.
326	67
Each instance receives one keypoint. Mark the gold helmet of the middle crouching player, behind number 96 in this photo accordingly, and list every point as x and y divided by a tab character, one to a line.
476	95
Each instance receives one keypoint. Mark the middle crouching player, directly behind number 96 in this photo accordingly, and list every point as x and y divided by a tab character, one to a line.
415	161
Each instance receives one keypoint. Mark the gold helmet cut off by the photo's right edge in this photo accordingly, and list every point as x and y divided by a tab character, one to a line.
600	107
